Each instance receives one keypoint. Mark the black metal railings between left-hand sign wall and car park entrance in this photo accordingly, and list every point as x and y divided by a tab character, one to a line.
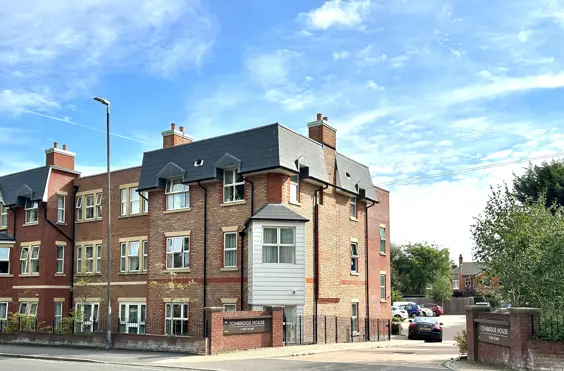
305	330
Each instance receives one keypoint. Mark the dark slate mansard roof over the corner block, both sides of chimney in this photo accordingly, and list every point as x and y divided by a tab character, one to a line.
267	147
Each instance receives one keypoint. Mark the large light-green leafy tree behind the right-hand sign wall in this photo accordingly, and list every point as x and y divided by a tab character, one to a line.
521	244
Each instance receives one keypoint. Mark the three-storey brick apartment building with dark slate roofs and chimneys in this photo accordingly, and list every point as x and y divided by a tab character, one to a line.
260	217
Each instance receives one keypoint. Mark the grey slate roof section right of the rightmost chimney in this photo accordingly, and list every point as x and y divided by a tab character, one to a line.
353	176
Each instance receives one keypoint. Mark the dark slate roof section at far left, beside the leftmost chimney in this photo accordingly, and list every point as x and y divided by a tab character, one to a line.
30	183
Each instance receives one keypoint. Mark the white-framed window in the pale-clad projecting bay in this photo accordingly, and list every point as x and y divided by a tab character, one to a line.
278	245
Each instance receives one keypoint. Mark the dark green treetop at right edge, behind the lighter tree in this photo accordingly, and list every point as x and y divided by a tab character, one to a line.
546	179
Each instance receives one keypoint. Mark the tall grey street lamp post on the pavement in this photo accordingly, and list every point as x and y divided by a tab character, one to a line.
109	244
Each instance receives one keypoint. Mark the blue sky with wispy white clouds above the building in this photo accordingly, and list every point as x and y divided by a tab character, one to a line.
415	88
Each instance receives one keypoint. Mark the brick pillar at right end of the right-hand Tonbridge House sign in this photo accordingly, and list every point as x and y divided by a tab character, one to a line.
524	321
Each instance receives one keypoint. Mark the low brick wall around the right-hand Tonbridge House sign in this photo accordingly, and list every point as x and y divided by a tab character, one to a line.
522	351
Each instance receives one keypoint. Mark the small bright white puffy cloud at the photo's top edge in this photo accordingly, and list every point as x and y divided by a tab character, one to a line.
338	14
